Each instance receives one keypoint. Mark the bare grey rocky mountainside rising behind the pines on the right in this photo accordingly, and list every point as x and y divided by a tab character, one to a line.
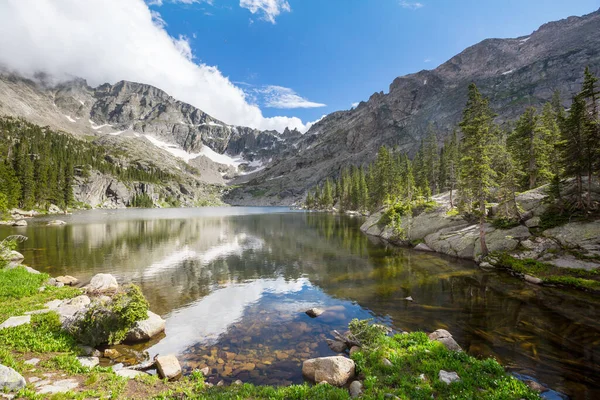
513	73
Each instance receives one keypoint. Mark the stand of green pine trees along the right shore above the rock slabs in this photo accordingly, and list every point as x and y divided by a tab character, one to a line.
482	163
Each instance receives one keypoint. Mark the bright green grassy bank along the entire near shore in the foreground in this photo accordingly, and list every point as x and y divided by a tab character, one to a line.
412	373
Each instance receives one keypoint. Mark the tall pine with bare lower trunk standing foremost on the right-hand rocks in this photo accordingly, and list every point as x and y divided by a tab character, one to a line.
476	172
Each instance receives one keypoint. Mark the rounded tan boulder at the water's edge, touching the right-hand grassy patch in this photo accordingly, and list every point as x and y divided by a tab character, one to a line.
335	370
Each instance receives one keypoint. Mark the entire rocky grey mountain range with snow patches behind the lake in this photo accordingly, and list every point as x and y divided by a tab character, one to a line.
268	167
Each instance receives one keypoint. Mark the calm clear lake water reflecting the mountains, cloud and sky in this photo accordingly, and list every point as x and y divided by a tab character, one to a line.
233	284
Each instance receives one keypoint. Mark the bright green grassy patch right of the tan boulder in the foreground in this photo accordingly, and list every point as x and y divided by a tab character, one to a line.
414	356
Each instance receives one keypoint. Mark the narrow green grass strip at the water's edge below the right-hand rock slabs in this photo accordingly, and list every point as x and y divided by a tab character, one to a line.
571	277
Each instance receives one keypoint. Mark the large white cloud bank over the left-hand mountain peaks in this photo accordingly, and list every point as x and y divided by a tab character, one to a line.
112	40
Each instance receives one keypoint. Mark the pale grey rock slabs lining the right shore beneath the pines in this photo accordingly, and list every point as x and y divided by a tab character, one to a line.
570	246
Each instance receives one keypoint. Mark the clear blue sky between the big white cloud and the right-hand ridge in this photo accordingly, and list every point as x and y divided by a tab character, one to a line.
336	52
